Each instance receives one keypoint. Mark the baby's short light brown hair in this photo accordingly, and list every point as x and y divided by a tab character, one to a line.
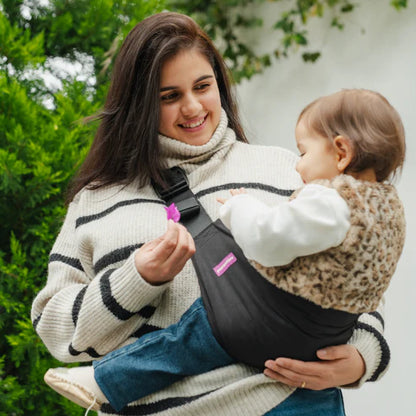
369	121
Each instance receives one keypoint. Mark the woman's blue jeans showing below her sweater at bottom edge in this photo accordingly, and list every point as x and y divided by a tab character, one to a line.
304	402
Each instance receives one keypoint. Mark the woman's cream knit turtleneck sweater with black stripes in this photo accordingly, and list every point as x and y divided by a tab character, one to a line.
95	301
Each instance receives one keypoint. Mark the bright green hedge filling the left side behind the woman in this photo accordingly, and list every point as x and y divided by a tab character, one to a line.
43	139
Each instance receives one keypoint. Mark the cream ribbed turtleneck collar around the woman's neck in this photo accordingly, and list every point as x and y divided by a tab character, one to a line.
188	156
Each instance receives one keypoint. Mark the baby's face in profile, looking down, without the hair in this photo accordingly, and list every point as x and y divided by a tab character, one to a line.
318	156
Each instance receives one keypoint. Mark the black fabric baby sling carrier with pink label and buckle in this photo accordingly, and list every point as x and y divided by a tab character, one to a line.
252	319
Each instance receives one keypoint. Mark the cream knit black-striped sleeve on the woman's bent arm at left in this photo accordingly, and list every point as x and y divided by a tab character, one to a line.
112	296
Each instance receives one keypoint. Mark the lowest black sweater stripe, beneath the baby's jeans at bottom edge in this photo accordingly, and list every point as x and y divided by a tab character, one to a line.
152	408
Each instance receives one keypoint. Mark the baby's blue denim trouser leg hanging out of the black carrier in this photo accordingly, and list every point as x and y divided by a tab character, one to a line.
160	358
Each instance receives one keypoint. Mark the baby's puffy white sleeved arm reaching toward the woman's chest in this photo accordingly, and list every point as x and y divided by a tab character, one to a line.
315	221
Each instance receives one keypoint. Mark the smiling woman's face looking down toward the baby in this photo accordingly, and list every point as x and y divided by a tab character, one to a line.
190	103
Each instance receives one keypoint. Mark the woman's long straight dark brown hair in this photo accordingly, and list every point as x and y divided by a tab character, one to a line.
125	147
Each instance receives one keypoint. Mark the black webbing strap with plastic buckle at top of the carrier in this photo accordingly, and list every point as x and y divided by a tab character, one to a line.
193	215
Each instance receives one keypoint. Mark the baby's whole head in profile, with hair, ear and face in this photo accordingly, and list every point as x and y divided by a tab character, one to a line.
352	131
